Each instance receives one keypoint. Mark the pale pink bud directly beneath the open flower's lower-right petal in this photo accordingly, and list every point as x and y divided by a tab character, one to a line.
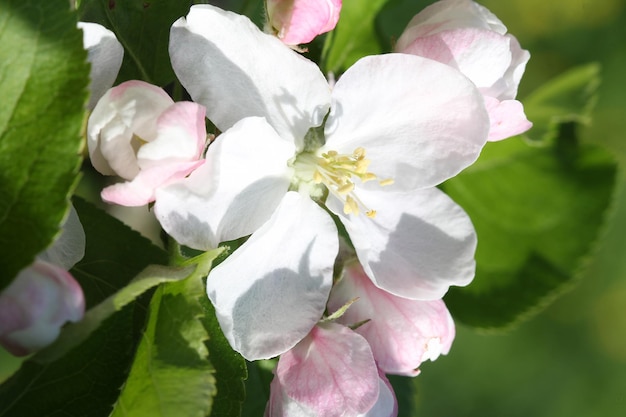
401	332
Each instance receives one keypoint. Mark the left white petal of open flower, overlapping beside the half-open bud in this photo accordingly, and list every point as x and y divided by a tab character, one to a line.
233	193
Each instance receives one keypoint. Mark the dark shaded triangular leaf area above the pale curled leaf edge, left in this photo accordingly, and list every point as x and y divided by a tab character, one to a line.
114	254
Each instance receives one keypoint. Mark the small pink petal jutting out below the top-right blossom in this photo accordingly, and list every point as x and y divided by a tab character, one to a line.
507	118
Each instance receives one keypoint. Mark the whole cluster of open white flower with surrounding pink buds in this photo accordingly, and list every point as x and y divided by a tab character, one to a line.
350	246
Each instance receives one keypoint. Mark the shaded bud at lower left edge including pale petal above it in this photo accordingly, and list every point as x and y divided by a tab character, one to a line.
44	295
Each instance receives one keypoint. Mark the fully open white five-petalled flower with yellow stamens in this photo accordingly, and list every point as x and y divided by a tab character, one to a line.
368	150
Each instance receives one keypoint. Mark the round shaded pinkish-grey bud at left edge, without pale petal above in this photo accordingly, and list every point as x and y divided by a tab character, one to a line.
35	306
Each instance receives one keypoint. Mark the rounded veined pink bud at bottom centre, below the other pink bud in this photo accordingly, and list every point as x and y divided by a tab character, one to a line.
331	371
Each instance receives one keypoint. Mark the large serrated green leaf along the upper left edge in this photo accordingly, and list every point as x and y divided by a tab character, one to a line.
43	90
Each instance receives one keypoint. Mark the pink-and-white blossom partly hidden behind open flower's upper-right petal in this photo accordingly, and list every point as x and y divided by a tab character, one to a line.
468	37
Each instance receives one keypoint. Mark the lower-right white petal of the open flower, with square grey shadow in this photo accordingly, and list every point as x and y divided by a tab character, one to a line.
418	244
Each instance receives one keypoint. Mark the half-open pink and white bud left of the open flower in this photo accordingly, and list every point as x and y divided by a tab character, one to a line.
137	132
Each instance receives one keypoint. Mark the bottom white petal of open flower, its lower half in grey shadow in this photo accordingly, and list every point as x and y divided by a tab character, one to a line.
273	289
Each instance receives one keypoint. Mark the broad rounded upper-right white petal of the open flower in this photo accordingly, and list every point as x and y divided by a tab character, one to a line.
420	122
